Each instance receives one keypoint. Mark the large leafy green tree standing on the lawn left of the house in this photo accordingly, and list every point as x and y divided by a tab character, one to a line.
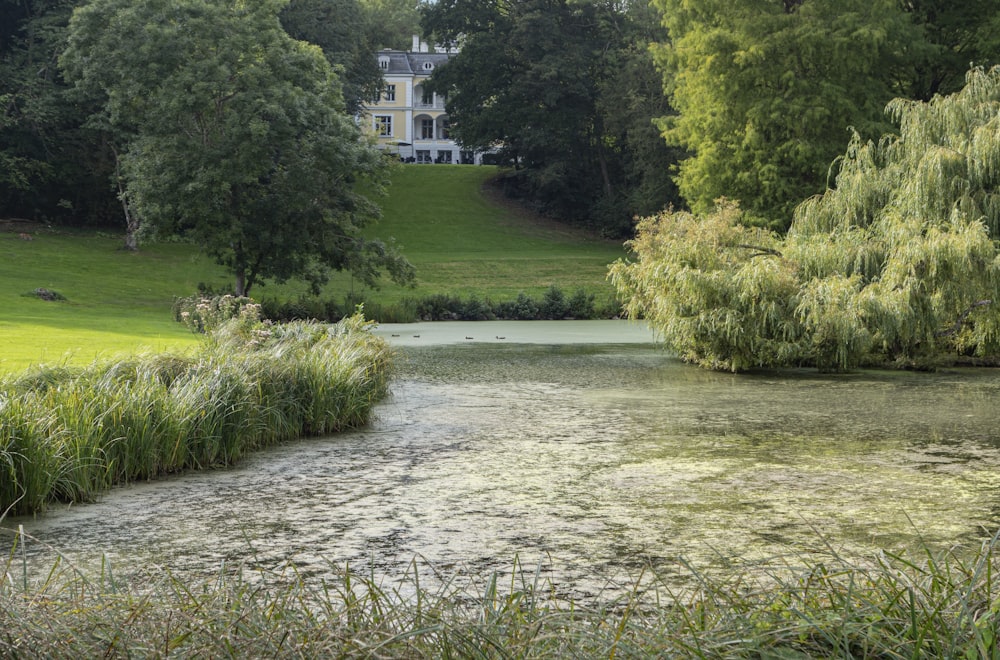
240	138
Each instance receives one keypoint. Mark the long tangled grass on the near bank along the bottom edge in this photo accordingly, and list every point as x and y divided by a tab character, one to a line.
941	606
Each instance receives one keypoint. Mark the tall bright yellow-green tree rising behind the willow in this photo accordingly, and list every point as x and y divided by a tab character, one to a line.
765	92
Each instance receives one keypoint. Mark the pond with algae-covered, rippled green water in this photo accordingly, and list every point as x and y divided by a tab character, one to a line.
581	447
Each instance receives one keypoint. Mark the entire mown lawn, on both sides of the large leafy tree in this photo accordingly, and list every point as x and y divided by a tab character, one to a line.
462	241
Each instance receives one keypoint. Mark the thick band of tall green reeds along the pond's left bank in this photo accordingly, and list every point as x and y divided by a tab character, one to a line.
68	434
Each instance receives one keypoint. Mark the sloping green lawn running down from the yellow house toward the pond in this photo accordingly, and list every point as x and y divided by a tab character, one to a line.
464	242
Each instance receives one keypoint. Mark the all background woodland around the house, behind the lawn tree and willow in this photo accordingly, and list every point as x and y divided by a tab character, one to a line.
605	111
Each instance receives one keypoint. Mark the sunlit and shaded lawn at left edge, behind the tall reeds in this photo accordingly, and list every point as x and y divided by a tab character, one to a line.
116	301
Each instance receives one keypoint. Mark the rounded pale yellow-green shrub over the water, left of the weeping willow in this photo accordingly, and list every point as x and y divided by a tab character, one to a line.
713	289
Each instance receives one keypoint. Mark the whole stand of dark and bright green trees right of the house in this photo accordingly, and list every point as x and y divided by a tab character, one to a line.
751	100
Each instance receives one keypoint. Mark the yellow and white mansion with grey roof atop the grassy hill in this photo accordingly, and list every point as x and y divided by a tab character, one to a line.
409	120
